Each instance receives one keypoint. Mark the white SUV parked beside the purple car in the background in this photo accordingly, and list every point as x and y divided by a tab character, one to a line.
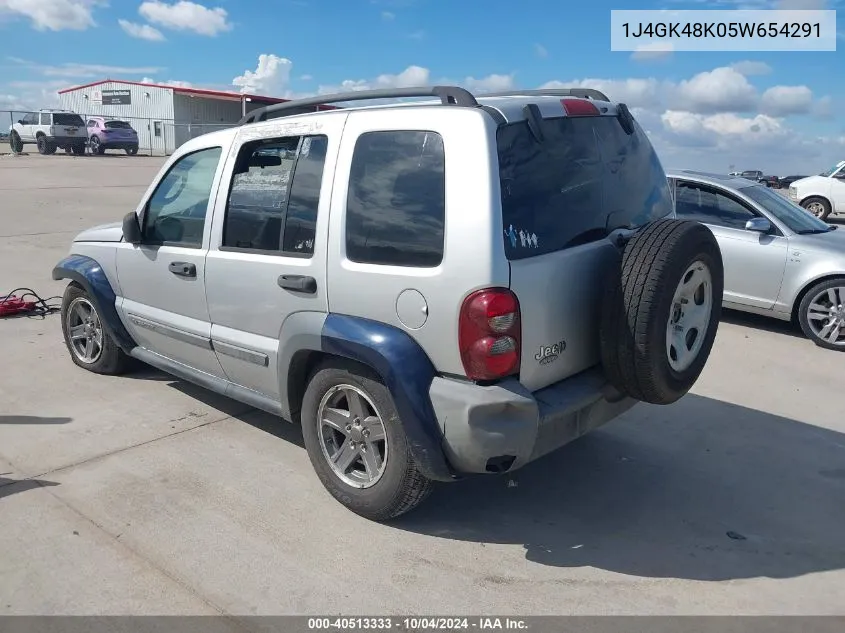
50	130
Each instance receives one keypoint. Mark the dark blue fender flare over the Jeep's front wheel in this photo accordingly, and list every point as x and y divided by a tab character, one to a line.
88	273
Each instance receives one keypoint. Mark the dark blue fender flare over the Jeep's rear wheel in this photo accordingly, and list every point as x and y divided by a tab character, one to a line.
407	373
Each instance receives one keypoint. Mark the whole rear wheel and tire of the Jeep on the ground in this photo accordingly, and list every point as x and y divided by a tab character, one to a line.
357	445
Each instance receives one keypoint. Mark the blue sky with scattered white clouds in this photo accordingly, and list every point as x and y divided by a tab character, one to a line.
719	111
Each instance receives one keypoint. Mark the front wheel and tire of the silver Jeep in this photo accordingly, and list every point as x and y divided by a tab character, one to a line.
88	342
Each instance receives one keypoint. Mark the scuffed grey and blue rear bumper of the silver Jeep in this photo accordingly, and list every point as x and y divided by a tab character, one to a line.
501	428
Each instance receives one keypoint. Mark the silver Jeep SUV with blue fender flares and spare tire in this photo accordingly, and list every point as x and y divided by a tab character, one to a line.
431	289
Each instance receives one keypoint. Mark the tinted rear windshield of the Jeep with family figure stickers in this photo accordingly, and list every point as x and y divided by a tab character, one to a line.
585	179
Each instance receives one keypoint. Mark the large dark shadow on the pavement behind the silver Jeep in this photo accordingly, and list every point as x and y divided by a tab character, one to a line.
700	490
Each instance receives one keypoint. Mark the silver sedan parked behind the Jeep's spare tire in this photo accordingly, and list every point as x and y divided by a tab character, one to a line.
780	261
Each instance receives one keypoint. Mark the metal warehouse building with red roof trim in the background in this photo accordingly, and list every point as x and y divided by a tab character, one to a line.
164	116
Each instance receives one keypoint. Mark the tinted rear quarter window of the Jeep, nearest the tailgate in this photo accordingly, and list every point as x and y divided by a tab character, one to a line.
396	207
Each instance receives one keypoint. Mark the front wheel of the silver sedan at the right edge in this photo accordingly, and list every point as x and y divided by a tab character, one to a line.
821	314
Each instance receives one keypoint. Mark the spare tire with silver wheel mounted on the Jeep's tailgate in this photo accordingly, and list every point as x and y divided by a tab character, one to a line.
661	309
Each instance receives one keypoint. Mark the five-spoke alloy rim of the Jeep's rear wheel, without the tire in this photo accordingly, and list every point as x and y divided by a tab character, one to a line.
352	436
